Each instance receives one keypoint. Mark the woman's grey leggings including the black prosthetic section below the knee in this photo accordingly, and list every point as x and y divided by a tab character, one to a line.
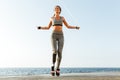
57	46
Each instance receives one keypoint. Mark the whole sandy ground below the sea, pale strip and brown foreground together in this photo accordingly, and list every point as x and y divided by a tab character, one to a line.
88	76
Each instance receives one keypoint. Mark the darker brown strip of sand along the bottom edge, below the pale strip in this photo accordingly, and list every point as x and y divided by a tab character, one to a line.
64	78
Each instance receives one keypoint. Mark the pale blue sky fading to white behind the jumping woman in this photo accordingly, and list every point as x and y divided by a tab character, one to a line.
96	44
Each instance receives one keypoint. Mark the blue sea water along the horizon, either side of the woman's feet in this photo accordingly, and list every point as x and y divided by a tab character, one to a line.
41	71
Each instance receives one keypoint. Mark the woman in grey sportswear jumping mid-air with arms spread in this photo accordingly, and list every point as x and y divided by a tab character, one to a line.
57	38
